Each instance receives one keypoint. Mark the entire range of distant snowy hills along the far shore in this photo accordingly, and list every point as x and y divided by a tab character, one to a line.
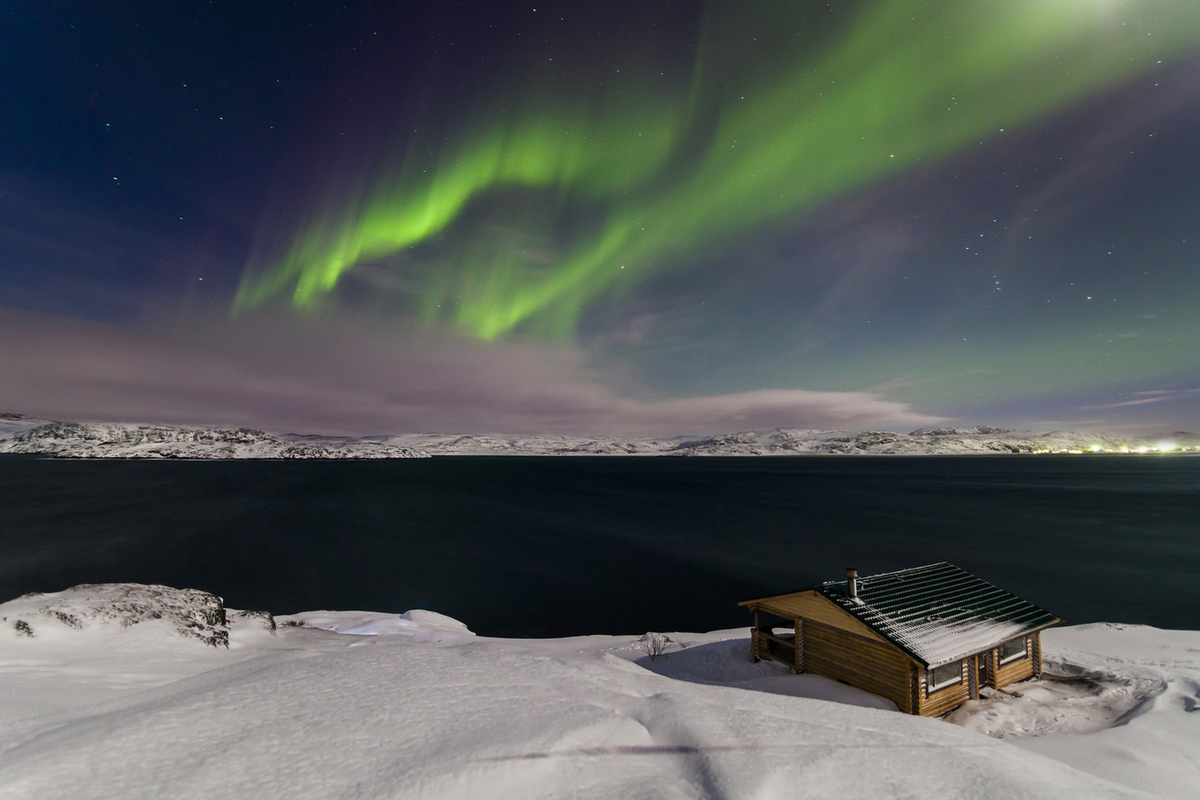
22	435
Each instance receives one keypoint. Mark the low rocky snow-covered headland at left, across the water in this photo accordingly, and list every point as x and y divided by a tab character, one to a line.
112	441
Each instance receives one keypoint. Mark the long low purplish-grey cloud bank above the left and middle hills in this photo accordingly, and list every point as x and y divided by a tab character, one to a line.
351	376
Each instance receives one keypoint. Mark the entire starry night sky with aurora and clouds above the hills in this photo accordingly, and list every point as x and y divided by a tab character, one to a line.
653	218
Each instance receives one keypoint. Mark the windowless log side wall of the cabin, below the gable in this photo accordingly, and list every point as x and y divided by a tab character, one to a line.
856	660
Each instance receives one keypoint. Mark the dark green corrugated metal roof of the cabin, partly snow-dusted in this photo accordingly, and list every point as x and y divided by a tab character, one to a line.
939	613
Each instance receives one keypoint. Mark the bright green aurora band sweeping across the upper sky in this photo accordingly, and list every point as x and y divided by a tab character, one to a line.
661	177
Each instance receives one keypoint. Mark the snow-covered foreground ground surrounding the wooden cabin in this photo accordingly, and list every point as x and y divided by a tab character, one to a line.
121	693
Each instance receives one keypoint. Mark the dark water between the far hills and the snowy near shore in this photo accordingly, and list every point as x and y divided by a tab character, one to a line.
562	546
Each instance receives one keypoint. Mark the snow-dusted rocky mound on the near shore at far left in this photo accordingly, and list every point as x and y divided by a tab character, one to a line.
194	615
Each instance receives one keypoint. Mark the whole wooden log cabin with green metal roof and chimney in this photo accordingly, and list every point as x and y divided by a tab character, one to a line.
927	639
